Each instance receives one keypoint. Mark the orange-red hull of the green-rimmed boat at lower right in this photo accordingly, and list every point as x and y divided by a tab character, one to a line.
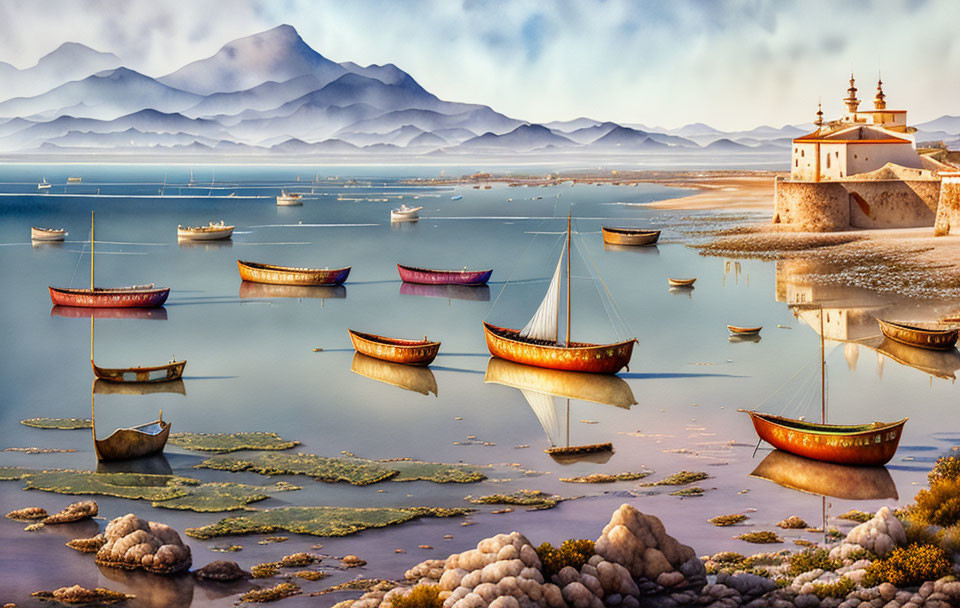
862	445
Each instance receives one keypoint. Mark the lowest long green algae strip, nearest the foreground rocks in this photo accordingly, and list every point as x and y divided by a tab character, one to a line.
317	521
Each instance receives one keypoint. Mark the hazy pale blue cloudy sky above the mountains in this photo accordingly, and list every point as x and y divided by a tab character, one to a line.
732	64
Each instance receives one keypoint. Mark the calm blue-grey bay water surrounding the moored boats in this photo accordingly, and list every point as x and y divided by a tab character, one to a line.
251	365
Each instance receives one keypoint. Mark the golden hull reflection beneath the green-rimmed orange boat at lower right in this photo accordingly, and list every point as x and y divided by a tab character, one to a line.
826	479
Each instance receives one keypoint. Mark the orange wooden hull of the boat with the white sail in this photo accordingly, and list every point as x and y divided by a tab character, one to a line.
580	357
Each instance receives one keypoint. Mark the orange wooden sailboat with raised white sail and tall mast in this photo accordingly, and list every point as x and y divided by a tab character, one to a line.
538	343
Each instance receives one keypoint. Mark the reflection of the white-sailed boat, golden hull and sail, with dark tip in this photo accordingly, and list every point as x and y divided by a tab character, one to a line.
548	392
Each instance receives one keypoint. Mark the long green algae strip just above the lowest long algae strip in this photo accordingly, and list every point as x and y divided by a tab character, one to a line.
348	469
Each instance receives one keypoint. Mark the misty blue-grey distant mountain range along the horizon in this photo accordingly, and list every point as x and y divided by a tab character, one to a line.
271	93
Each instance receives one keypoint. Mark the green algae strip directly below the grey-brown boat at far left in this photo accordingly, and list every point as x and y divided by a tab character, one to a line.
121	485
